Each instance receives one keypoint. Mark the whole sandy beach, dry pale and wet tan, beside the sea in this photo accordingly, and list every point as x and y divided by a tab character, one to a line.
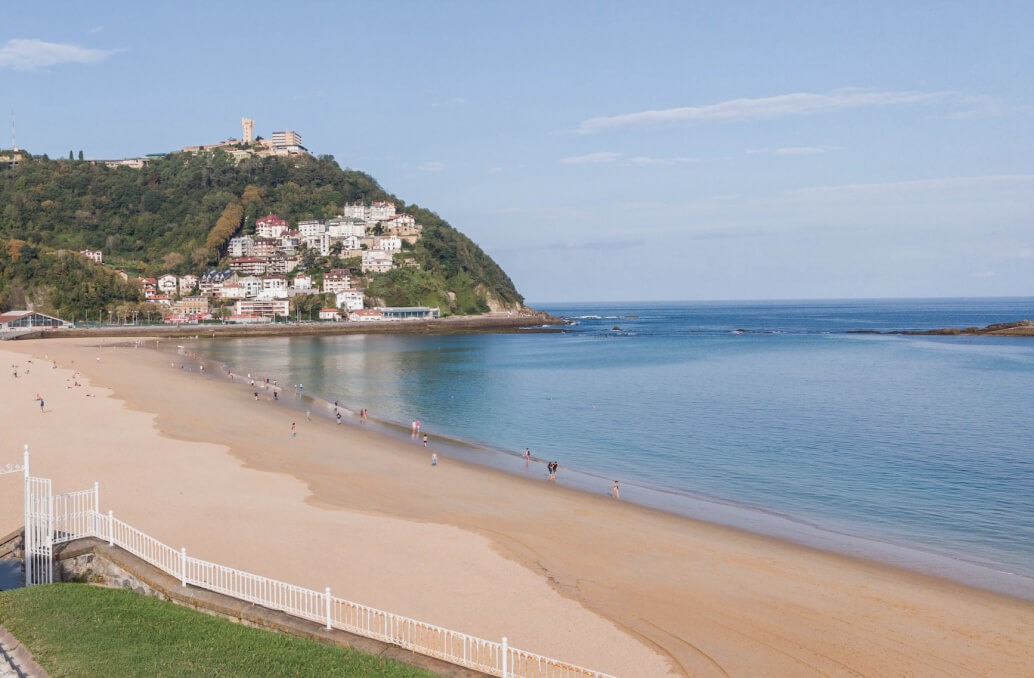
196	461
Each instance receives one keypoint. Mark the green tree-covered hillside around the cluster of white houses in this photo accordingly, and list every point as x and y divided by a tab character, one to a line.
174	217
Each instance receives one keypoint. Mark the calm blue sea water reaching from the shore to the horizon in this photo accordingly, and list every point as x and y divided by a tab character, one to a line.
768	416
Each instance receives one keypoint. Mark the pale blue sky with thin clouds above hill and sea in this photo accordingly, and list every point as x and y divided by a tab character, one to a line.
599	151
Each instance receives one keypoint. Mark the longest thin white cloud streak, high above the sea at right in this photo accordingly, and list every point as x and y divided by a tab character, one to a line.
798	104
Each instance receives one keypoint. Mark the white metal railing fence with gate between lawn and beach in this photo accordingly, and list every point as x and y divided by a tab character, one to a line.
75	515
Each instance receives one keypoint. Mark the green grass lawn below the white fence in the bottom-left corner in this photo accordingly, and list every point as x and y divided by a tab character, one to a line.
74	630
